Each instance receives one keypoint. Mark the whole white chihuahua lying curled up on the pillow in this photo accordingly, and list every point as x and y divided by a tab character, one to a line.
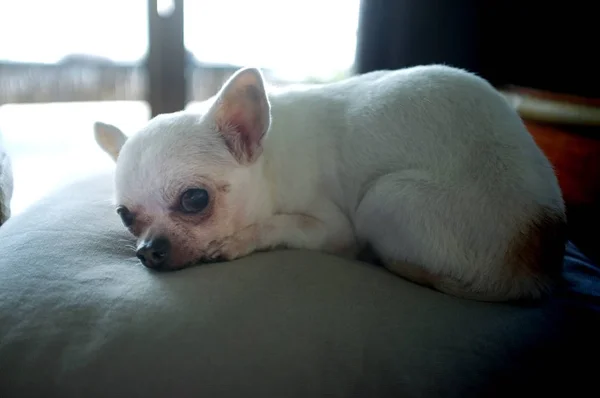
427	167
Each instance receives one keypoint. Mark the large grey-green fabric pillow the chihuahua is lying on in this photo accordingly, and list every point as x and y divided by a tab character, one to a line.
80	317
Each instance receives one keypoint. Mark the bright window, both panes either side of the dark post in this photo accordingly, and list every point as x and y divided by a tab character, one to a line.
65	64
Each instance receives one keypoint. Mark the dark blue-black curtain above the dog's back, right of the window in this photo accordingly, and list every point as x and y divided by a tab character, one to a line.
539	44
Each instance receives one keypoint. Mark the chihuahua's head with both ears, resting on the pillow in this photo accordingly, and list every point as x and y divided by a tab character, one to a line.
183	180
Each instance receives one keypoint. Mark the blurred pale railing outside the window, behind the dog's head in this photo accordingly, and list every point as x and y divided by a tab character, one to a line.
91	79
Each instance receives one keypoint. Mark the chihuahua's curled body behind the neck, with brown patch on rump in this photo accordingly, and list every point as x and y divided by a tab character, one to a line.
437	170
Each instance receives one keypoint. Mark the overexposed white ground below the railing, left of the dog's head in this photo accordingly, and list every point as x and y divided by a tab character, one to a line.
53	144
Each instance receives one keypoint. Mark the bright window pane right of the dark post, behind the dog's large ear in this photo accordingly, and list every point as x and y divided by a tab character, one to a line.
292	41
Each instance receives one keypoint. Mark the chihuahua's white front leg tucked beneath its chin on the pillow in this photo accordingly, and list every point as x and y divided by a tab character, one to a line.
292	231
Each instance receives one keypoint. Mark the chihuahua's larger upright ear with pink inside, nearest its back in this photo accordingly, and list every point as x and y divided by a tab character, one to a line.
242	113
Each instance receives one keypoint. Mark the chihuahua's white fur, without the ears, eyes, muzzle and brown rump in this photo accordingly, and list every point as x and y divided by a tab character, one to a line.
428	165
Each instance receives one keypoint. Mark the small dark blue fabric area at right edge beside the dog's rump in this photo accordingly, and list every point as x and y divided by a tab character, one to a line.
581	280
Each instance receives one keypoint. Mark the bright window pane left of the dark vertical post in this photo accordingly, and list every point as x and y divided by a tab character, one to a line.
63	65
